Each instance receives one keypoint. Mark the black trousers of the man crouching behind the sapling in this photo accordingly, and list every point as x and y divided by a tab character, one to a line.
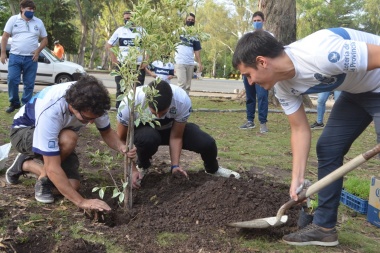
147	140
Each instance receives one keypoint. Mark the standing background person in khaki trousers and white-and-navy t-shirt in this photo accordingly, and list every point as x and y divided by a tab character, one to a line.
184	57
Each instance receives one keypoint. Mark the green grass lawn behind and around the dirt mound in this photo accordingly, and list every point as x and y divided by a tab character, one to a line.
244	149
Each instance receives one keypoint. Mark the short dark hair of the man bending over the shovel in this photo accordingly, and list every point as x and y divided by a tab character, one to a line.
253	44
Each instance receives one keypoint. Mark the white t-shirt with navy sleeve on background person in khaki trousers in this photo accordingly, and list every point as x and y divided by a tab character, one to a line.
185	50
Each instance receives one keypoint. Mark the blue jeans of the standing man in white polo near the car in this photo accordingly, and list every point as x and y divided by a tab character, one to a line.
18	64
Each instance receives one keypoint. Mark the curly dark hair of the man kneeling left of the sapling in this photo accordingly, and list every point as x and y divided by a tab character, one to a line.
90	95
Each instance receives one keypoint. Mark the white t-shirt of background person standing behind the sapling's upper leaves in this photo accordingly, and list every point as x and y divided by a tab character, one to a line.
125	37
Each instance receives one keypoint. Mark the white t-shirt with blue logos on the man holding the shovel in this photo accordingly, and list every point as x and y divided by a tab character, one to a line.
330	59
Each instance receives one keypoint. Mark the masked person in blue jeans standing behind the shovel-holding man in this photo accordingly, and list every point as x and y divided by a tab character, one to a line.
251	91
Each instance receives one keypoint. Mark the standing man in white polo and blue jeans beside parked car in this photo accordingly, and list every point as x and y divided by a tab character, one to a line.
25	30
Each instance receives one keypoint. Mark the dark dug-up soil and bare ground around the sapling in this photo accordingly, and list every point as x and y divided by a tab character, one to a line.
170	214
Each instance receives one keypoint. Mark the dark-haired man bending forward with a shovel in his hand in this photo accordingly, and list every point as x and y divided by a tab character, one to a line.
331	59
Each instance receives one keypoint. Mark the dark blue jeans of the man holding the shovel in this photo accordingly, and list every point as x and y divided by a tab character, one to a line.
350	116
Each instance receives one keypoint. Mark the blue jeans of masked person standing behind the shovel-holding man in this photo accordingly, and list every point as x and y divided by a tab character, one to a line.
251	92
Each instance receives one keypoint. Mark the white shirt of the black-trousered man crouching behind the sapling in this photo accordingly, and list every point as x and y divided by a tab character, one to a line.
179	109
